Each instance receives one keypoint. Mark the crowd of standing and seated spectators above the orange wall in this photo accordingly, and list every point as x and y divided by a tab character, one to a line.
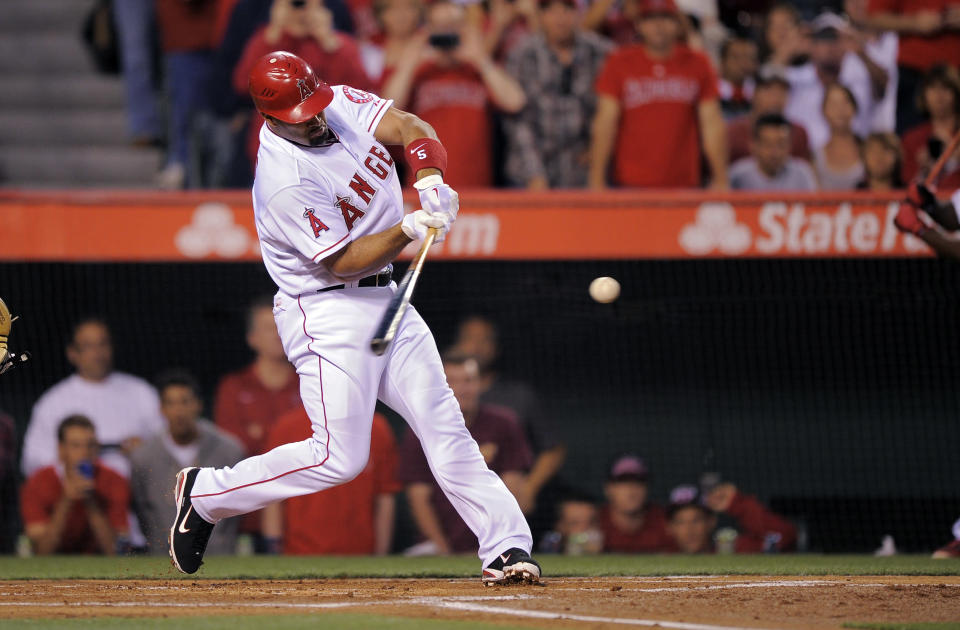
547	94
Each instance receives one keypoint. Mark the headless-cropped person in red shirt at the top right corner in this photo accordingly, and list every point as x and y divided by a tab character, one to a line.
929	33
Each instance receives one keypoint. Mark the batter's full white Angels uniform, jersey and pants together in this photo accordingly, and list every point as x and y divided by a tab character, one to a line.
309	203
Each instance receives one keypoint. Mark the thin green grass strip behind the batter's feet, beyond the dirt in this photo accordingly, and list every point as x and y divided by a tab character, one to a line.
78	567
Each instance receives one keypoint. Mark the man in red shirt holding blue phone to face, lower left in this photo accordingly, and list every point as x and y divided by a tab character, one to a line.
78	505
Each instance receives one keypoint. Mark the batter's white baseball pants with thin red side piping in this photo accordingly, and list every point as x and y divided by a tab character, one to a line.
326	336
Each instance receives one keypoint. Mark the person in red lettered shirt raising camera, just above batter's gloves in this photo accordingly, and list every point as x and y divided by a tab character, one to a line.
452	83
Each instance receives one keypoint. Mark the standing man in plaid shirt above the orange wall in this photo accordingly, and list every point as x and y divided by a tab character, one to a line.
548	140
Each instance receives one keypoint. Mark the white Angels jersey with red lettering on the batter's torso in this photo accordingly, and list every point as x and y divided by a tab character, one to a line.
309	202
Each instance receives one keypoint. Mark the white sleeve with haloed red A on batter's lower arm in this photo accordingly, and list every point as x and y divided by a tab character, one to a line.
306	218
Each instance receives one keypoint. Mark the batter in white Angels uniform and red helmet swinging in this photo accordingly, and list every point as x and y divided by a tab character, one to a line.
329	215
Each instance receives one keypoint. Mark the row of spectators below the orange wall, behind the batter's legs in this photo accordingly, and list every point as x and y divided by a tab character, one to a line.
102	449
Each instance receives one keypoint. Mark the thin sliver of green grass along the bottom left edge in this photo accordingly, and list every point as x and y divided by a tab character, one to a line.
340	621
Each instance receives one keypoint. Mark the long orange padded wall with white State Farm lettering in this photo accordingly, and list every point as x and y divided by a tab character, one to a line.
493	225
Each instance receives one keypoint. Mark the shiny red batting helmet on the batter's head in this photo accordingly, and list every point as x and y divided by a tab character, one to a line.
285	87
